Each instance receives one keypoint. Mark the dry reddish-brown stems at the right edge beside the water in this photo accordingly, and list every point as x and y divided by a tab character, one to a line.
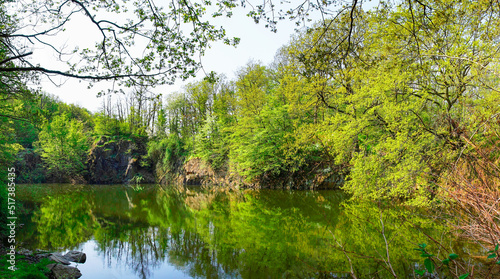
473	184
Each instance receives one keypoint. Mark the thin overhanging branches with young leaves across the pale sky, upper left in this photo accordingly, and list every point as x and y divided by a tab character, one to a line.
136	43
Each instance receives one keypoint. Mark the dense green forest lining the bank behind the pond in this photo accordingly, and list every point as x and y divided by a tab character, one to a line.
399	104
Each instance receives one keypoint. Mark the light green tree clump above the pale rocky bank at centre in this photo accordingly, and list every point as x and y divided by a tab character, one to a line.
249	128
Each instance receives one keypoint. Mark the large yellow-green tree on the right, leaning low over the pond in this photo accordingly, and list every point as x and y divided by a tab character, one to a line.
400	93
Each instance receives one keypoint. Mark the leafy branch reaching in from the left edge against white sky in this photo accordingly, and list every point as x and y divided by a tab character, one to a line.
166	55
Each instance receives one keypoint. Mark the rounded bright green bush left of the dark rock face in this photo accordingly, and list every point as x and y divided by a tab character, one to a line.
63	145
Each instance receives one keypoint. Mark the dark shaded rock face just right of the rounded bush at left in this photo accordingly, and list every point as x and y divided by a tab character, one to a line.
115	161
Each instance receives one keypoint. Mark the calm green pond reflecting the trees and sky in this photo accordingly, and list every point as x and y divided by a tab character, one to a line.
152	232
